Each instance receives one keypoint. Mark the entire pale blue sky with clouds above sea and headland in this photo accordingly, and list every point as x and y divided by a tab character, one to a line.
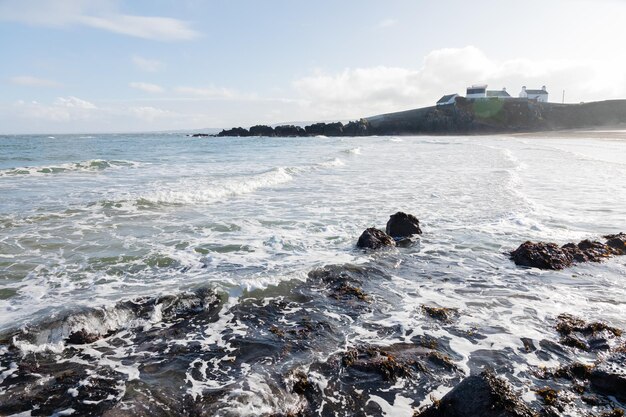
91	66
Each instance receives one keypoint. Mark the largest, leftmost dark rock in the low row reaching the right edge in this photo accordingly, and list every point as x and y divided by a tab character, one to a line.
541	255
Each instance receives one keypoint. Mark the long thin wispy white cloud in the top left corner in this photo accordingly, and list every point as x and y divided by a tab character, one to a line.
100	14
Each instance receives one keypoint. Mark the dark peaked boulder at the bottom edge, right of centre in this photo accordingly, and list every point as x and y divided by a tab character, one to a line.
482	395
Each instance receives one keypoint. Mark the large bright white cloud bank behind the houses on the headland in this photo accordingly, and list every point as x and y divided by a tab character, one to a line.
360	92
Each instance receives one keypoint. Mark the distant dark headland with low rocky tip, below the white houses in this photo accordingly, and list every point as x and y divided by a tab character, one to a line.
462	117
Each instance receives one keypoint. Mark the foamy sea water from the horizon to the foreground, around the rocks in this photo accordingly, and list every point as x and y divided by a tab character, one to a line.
219	276
